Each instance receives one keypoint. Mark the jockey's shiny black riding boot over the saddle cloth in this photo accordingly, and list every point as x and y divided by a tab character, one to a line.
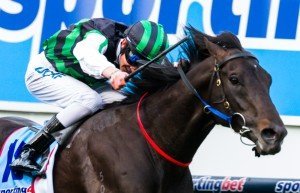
35	147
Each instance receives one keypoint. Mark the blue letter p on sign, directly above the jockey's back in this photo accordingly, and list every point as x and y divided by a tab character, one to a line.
55	14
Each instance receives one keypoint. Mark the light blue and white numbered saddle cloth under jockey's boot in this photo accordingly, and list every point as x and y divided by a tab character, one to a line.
19	182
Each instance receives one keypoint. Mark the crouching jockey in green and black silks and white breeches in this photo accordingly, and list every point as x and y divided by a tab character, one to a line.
81	70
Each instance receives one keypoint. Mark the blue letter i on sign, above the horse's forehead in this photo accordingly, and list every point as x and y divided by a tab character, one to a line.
258	18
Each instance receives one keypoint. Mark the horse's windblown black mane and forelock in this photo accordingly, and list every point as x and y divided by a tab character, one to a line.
158	76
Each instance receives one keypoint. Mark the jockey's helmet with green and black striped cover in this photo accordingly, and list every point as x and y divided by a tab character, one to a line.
146	39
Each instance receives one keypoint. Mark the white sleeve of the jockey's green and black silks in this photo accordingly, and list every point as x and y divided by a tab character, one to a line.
89	52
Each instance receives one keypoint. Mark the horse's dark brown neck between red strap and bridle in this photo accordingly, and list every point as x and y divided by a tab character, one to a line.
175	117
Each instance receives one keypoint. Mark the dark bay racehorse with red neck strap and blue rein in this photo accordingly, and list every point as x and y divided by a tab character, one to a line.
146	146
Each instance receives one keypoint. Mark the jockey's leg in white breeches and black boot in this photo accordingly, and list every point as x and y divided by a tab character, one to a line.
77	99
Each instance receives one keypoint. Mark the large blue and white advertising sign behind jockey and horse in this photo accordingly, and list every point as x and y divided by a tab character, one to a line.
269	29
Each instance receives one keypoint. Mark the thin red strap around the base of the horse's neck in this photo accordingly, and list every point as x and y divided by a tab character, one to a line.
152	142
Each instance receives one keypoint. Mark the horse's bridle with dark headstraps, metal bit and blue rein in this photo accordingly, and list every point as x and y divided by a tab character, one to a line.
207	108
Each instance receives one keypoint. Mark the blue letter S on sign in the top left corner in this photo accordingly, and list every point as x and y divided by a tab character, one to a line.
29	11
